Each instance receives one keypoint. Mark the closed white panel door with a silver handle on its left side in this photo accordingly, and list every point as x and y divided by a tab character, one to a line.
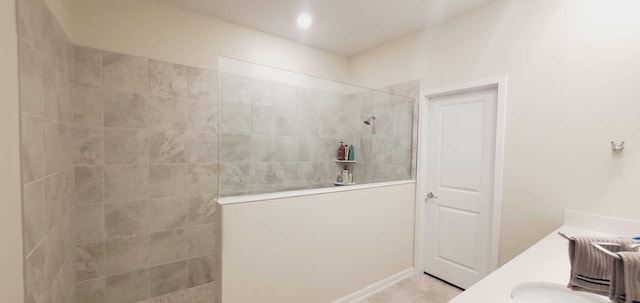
459	178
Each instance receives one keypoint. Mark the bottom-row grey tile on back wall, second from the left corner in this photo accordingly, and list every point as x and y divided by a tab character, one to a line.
127	287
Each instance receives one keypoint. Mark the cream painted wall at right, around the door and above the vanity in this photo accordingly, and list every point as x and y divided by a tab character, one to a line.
574	74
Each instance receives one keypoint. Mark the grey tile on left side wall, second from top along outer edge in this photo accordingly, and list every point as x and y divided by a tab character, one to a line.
30	65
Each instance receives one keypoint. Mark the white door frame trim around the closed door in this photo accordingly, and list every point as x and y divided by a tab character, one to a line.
500	84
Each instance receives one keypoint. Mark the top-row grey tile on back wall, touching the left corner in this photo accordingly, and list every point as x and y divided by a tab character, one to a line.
87	66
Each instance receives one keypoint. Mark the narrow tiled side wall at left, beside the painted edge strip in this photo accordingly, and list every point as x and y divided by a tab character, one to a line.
47	166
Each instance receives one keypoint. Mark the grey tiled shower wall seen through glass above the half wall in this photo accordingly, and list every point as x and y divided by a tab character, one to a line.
276	137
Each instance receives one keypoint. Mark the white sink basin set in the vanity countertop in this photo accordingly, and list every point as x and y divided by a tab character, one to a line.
538	292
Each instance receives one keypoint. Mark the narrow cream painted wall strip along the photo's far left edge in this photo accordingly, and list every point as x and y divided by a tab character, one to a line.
11	276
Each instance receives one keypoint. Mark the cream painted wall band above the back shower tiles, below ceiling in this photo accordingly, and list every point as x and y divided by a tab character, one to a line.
155	30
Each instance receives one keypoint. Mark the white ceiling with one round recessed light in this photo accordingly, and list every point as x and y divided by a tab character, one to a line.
346	27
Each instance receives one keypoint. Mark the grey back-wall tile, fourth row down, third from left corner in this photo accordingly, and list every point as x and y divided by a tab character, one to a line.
168	180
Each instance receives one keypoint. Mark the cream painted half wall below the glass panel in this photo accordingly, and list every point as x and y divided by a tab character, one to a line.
316	248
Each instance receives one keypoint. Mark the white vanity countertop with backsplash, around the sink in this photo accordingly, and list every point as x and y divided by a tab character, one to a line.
545	261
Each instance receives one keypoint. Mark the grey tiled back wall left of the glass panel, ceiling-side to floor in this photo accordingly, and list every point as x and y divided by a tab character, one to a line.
144	135
